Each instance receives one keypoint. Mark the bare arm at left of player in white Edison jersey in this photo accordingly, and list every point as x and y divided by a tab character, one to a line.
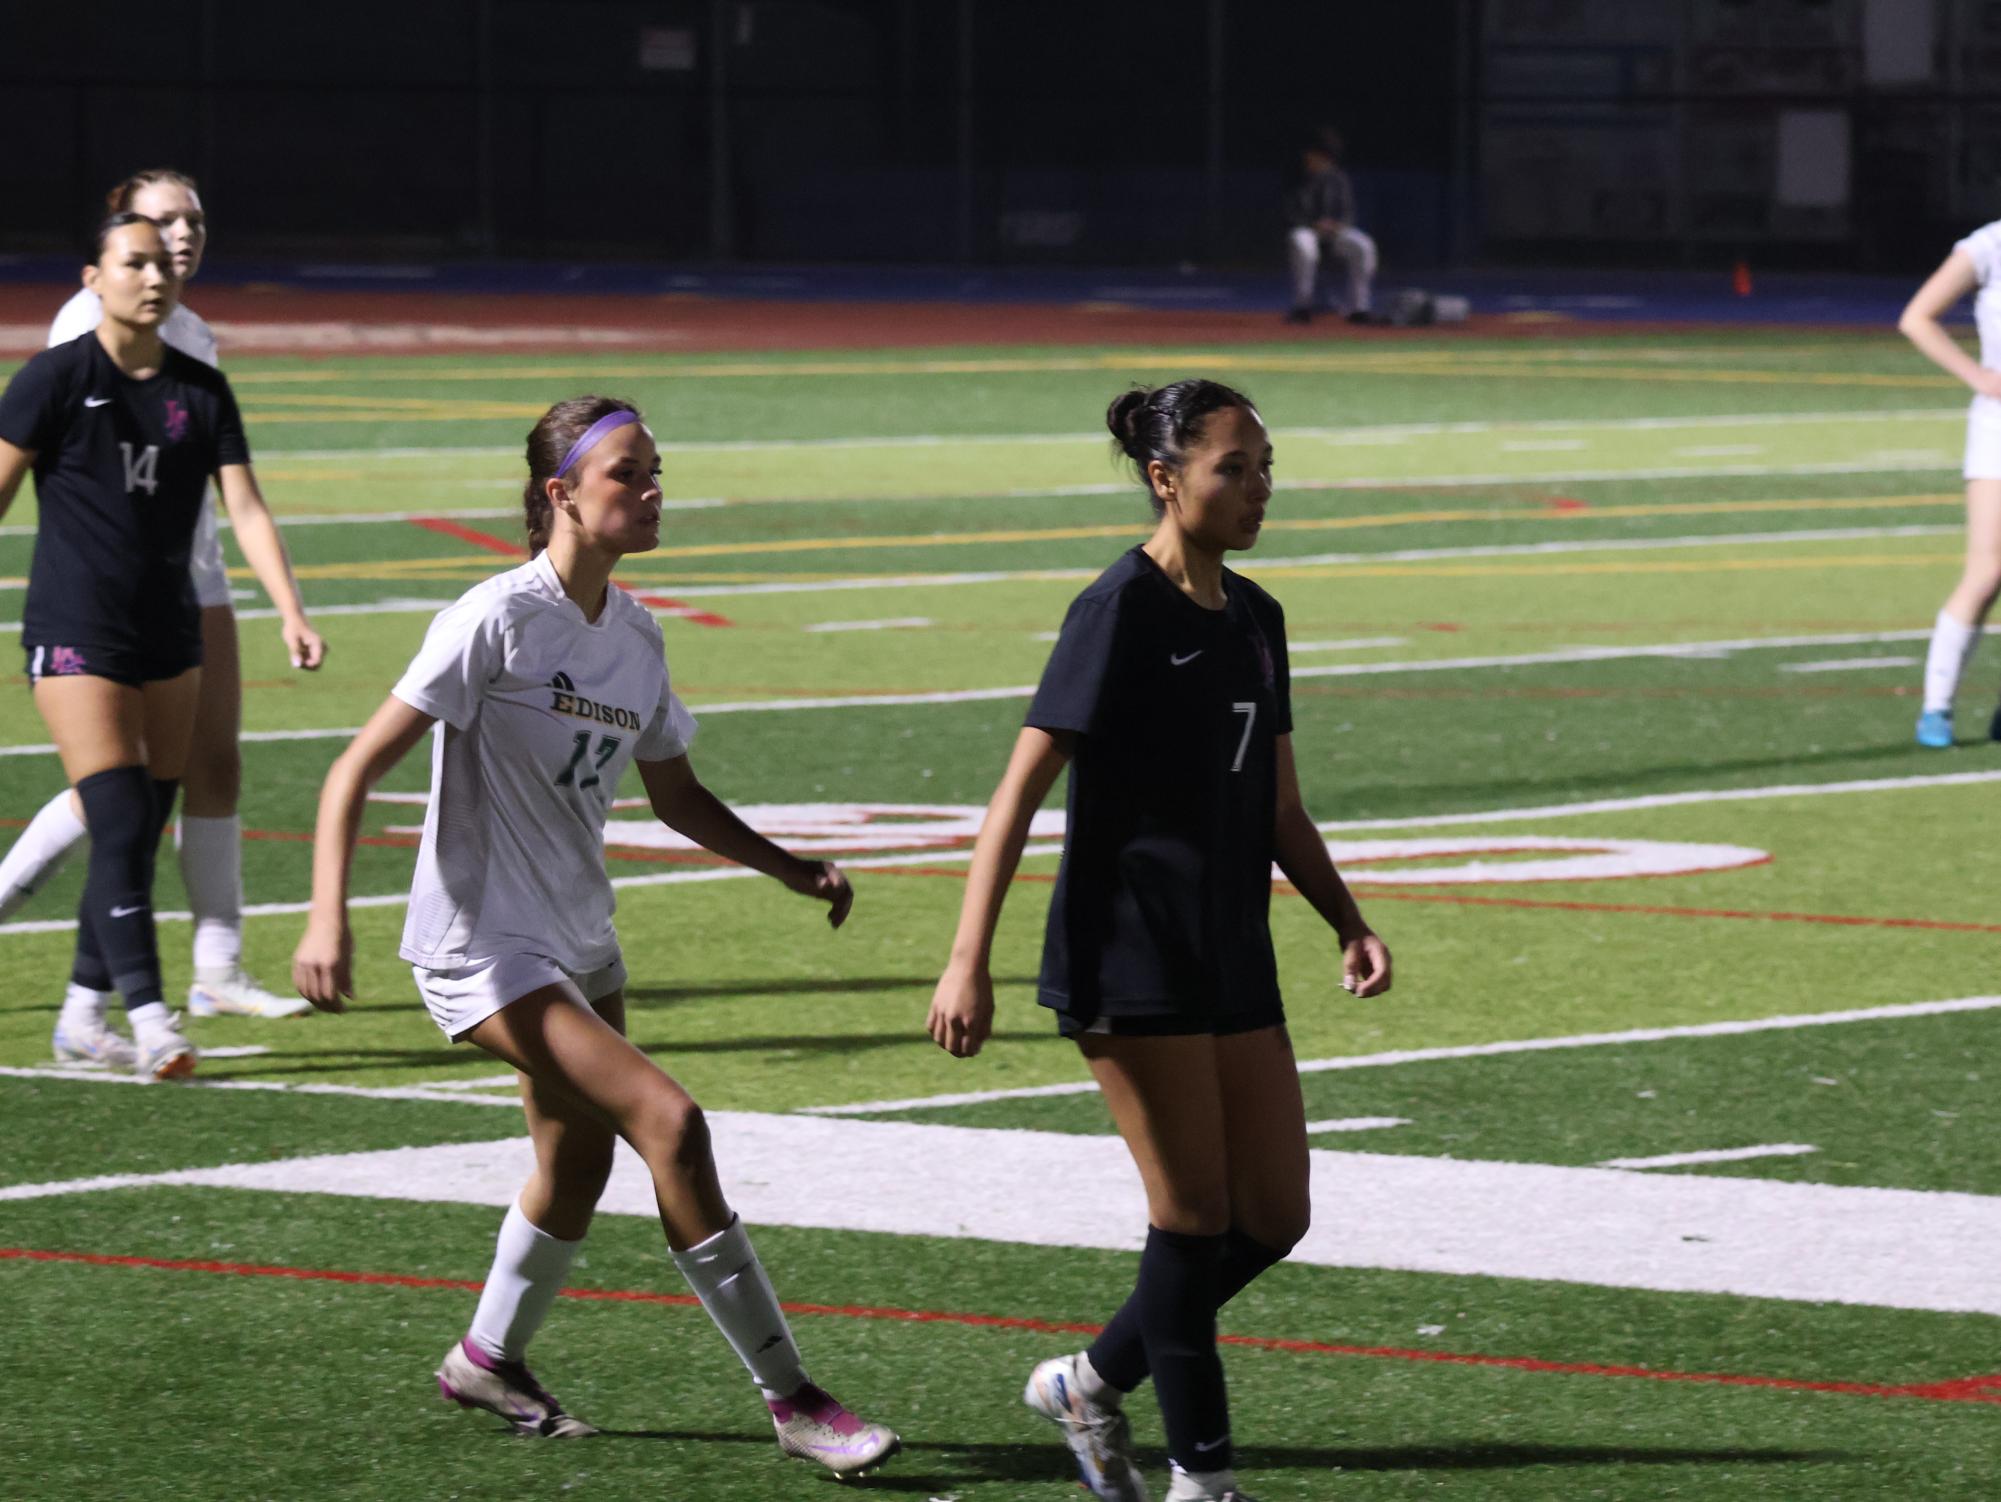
323	965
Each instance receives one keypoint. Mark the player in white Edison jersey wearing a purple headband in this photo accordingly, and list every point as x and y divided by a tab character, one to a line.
545	685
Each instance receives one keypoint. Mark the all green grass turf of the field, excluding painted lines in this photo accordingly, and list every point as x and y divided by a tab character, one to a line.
271	1389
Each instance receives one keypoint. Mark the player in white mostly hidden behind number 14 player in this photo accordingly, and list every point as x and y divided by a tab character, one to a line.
209	833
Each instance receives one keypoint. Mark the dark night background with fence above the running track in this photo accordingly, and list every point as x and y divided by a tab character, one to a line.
1846	135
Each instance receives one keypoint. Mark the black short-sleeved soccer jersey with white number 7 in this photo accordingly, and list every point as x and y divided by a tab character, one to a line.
1164	901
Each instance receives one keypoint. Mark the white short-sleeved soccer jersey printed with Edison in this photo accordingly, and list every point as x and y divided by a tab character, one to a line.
541	715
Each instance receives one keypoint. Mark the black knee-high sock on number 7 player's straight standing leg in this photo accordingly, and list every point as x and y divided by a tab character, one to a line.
1178	1323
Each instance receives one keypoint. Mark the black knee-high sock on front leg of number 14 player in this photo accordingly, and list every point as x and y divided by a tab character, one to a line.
117	909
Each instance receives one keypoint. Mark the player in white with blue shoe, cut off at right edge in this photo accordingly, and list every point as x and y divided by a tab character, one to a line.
1974	267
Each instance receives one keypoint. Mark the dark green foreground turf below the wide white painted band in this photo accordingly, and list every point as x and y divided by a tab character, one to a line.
285	1361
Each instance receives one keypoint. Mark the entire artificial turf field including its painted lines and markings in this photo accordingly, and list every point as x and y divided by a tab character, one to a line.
1604	677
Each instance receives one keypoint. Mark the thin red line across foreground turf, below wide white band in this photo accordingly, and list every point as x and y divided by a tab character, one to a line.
1972	1389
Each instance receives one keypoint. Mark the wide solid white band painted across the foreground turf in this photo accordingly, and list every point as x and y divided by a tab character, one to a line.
1676	1233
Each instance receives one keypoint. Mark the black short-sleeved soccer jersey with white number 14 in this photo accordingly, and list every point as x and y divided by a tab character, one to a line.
119	477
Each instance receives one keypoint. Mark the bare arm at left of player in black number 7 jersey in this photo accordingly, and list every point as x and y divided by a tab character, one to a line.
963	1003
